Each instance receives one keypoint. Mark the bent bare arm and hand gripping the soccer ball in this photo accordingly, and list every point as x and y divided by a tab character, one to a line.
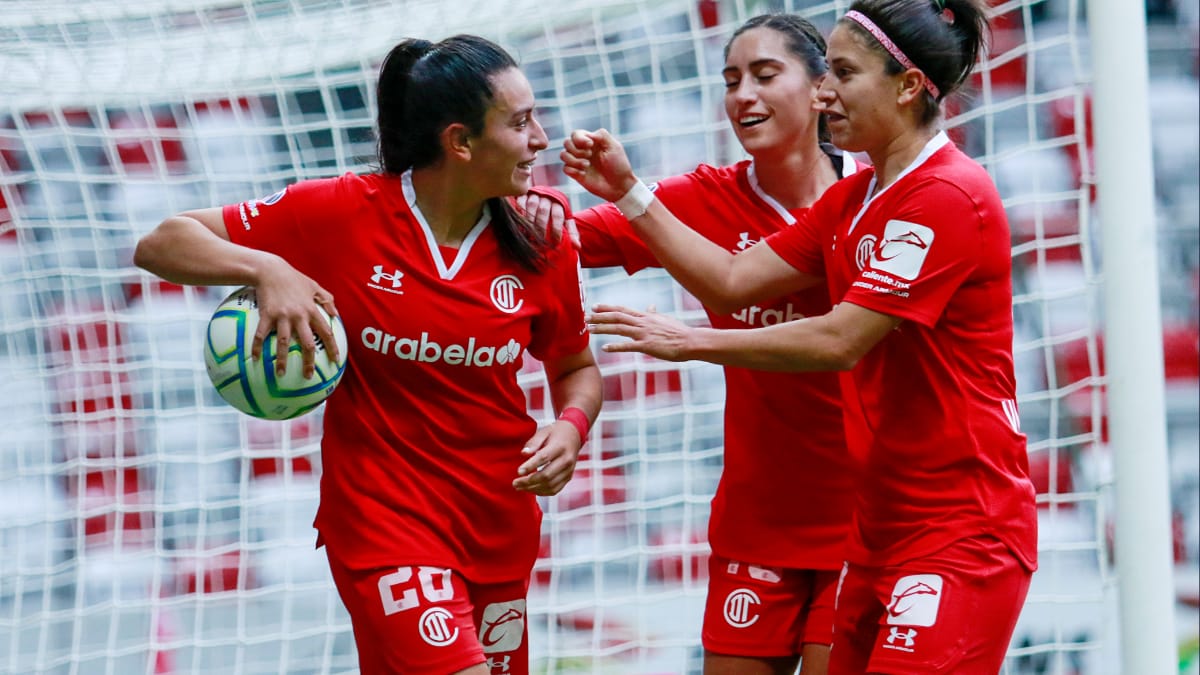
194	248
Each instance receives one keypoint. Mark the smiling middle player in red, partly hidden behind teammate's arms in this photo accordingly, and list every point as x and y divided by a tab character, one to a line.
782	510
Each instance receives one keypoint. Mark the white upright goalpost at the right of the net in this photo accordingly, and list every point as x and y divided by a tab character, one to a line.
1133	345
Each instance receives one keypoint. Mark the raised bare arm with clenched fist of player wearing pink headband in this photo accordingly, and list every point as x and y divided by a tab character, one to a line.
719	279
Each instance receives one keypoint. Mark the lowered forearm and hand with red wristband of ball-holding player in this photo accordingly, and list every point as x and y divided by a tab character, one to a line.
554	450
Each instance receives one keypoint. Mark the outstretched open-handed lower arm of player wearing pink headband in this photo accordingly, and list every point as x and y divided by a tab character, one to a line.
833	342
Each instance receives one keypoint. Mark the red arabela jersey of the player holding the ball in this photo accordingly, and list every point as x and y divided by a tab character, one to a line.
424	435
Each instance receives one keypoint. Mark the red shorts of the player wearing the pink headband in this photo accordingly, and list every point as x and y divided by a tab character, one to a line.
953	612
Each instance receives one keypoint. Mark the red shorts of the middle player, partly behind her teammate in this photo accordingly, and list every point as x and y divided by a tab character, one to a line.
766	612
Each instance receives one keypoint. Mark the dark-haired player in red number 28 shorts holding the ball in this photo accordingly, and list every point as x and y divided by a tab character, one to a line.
431	464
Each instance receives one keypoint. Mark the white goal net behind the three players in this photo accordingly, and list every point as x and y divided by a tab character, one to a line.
148	528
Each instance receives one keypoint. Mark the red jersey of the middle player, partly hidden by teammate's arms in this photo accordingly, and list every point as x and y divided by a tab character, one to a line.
785	494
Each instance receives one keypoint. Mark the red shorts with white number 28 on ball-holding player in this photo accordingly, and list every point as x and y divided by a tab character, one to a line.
430	620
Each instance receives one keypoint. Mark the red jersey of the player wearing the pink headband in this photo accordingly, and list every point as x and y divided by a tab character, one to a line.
933	407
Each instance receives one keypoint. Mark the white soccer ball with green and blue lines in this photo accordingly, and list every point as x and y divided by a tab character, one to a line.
253	386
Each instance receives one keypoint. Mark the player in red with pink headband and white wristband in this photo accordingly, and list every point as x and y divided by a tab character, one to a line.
916	255
